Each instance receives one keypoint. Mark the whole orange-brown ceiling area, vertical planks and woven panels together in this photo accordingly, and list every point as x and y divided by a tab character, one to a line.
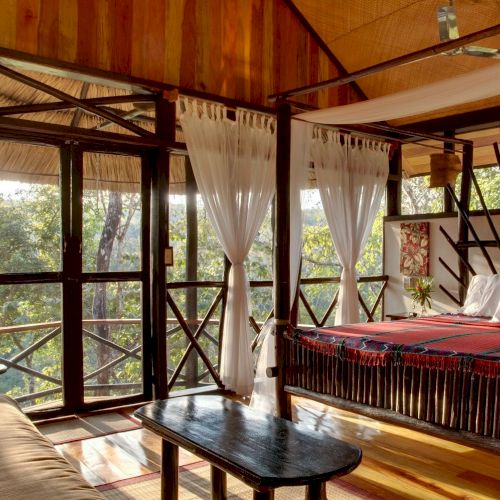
248	49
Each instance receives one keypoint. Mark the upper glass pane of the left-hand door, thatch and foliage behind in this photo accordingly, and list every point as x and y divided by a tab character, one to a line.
30	208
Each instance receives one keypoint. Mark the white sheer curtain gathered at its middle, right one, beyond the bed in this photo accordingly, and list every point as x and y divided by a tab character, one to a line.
351	175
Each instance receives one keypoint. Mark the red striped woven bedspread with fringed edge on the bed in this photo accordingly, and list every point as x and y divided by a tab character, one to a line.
448	341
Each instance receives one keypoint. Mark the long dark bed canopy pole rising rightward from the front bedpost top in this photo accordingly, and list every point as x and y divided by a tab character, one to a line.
418	55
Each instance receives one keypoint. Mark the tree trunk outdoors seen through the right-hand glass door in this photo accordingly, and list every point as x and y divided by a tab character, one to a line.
103	257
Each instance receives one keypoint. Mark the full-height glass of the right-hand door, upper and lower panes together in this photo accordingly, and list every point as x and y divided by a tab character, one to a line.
114	289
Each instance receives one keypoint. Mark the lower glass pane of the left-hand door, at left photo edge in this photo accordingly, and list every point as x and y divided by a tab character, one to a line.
30	343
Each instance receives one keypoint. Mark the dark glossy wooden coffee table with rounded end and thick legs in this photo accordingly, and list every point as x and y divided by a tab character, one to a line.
265	452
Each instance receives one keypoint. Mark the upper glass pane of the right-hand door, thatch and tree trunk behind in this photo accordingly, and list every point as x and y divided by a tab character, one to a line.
111	213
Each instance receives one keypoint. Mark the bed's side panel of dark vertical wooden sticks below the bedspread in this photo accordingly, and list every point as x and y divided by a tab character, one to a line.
454	392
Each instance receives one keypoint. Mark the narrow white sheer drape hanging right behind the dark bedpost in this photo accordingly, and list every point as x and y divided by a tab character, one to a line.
264	392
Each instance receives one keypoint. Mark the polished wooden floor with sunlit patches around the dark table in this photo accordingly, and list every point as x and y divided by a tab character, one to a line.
397	462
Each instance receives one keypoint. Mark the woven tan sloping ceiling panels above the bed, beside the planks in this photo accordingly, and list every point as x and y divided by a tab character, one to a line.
362	33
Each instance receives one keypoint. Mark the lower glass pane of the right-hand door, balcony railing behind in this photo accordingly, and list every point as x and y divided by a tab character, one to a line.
112	339
